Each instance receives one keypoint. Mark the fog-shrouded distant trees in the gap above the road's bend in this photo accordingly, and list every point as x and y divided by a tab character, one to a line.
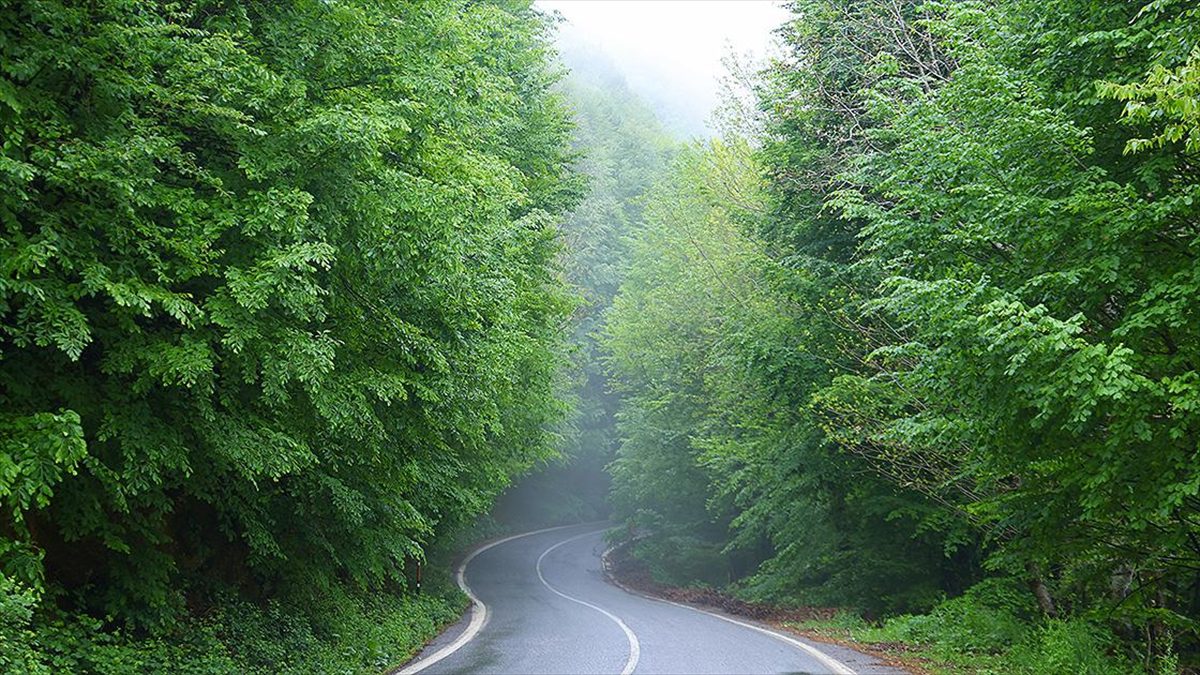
622	151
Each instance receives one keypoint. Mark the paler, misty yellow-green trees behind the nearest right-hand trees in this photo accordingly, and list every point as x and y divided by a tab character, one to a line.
716	356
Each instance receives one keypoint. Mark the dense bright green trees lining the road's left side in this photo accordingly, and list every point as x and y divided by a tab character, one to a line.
280	300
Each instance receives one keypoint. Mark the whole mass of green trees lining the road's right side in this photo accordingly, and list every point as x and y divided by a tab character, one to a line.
939	325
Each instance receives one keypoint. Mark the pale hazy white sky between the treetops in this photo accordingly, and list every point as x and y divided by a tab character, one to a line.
670	51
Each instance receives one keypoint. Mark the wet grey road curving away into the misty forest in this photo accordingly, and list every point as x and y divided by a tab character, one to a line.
568	576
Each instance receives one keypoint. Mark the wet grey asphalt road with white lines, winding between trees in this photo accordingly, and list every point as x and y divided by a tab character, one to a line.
551	611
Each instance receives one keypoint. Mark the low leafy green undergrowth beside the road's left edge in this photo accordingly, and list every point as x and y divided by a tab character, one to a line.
332	634
